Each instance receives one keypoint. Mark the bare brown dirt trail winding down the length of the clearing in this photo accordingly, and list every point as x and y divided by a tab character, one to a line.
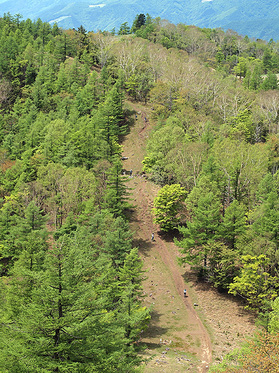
143	227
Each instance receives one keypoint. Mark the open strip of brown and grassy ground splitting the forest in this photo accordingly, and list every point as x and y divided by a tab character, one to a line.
185	334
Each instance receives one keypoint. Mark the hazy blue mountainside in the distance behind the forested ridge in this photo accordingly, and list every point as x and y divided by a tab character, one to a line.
255	18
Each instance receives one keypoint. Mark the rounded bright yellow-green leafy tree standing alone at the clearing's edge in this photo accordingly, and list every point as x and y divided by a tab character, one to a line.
167	206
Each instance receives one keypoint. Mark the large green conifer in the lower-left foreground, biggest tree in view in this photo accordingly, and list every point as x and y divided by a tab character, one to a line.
60	317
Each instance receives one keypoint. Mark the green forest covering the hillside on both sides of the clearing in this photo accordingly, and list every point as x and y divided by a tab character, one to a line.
71	279
